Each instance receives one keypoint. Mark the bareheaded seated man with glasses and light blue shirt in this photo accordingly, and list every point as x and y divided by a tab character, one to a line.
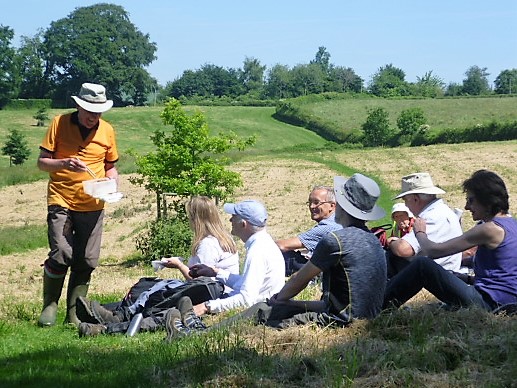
297	250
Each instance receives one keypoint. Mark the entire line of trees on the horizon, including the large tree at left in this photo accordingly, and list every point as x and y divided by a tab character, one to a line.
99	44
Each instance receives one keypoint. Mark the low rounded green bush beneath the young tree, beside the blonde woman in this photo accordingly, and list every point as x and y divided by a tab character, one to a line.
165	237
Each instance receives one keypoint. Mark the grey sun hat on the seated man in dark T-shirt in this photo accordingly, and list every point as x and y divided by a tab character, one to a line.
357	196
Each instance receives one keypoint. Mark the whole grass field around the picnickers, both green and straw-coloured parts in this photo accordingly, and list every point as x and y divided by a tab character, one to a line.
421	347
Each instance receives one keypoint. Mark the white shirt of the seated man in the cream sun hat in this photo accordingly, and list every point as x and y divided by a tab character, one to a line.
442	224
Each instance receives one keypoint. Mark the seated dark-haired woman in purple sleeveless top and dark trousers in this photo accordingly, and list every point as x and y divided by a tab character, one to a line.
495	263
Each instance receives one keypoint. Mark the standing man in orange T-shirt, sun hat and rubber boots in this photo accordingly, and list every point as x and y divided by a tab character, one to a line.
75	144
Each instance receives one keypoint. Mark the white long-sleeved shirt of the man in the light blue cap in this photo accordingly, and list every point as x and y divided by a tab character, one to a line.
262	277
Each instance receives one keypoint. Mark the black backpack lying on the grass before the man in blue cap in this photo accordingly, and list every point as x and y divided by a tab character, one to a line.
199	290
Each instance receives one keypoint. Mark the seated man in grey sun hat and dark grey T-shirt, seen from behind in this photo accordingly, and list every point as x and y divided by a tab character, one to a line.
352	263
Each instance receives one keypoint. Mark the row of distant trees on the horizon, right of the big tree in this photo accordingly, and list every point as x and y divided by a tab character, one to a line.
254	81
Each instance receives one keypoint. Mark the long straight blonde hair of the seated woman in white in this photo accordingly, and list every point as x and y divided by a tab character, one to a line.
205	221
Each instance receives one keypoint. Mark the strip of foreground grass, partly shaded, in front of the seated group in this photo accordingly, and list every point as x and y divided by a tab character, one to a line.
425	347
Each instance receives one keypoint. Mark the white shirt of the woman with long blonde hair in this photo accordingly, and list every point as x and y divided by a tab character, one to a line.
209	252
